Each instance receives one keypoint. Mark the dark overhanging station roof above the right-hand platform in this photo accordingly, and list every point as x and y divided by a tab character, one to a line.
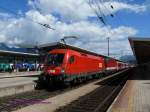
141	49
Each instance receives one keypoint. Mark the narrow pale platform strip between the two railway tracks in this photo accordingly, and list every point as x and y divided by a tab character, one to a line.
54	103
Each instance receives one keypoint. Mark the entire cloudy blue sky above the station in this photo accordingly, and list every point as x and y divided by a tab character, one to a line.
19	23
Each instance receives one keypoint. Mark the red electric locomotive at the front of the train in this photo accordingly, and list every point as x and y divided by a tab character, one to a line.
68	65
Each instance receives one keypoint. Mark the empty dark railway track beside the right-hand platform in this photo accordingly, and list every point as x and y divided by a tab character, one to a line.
98	100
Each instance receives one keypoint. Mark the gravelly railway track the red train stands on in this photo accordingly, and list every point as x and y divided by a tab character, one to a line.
14	102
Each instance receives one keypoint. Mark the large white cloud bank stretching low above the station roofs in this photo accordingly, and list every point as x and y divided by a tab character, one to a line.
91	35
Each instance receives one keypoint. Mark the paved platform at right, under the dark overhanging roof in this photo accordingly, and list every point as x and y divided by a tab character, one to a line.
134	97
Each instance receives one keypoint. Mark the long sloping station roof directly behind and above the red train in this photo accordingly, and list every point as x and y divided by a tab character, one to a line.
50	46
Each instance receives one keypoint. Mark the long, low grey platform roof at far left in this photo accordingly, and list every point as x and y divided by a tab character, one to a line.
13	53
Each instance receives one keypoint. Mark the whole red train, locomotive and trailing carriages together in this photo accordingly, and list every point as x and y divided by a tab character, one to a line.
72	66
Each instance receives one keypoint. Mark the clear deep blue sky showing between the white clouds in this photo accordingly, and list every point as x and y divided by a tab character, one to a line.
139	21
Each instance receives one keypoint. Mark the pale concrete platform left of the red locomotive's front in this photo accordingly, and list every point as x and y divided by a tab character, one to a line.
11	84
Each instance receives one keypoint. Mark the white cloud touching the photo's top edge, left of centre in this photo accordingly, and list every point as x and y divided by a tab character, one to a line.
68	9
